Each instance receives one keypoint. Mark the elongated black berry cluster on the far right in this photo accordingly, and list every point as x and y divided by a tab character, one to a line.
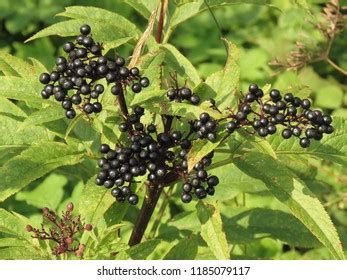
293	113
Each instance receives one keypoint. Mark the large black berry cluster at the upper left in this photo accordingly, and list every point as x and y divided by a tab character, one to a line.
75	80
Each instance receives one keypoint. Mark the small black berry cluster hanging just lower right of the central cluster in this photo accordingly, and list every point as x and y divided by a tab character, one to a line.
194	183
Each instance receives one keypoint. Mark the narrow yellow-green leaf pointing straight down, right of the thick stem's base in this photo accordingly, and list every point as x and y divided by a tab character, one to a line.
212	230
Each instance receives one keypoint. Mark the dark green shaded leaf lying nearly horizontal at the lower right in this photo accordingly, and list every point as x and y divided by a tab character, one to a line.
246	225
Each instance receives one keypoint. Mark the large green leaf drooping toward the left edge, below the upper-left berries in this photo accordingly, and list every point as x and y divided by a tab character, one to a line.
33	163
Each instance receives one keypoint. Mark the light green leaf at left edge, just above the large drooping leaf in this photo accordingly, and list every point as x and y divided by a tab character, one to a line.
11	136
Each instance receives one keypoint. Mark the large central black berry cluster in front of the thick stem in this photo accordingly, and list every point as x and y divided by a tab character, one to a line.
144	153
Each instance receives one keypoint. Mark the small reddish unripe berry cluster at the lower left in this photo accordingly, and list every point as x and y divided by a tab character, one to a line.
62	231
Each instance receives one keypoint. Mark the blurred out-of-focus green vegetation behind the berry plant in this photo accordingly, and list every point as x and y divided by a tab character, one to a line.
262	33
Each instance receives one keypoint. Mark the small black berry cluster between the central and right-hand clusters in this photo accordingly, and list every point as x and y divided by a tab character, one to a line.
206	127
